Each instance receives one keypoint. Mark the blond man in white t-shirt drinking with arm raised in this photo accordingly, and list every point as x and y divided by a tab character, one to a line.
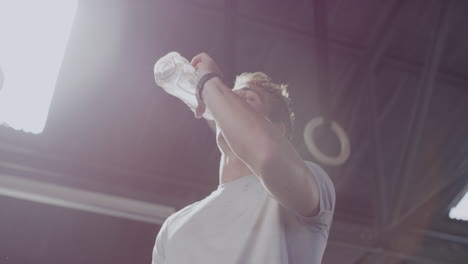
271	206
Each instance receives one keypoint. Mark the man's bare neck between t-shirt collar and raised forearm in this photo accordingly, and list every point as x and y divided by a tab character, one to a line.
232	168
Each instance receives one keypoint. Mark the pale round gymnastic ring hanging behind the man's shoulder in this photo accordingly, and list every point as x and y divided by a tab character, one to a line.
345	147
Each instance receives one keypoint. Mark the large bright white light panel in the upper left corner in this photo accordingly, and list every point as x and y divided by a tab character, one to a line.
33	37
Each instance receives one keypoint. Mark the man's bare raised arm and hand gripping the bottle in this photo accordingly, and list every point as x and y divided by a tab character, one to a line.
259	143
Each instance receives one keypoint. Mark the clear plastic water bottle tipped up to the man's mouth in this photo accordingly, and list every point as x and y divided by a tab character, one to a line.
178	77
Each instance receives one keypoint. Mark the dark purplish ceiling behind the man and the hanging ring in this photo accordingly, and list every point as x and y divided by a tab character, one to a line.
397	83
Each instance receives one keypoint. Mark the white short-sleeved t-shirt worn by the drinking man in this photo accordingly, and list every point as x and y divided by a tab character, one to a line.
242	223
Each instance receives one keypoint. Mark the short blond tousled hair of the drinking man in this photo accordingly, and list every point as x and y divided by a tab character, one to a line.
281	109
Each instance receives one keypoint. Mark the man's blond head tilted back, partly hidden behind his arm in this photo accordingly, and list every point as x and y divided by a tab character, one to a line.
268	97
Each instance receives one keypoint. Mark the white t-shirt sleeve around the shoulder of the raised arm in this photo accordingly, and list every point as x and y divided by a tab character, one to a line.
322	220
